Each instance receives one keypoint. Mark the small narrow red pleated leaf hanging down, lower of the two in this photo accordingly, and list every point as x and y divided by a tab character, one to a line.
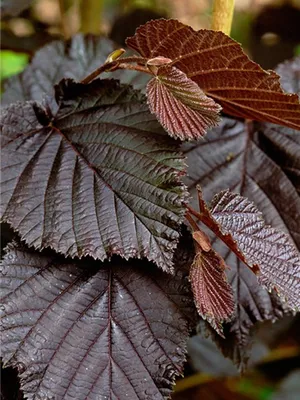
212	294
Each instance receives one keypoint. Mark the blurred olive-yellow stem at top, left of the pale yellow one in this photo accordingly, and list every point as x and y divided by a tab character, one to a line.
91	16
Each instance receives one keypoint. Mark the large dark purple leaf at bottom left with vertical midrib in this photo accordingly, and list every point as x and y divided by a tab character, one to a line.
91	330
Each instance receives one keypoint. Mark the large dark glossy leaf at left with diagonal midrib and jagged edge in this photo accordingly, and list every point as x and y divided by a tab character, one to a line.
99	177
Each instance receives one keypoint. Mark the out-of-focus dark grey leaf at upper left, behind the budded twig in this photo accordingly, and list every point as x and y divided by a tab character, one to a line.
74	59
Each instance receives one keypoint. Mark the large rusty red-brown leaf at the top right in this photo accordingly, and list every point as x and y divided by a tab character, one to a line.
221	69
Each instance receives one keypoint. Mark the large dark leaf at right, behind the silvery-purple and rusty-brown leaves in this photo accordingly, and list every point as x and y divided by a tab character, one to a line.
261	162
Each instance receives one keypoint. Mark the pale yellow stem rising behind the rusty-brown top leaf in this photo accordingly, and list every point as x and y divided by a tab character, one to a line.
222	15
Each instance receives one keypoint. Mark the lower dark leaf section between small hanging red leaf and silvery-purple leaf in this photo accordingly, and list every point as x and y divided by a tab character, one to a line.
253	304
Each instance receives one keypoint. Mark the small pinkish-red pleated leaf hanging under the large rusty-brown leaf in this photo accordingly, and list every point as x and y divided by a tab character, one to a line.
180	105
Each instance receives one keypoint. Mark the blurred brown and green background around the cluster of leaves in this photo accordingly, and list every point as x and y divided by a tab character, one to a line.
270	33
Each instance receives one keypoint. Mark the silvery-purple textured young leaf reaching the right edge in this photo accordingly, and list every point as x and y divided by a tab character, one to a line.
266	247
